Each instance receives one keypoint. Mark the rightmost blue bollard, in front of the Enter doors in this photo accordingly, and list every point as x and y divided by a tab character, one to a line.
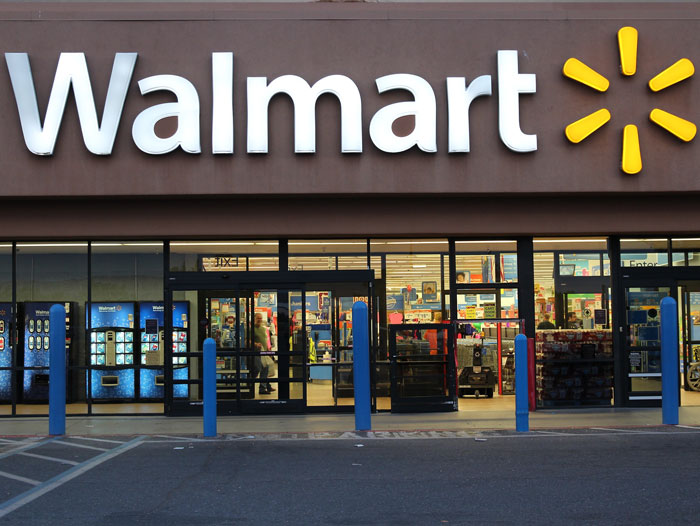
669	361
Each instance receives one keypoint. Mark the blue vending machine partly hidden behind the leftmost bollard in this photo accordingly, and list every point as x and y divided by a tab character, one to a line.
34	341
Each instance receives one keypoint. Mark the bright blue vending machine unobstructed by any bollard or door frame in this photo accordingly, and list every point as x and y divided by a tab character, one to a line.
111	340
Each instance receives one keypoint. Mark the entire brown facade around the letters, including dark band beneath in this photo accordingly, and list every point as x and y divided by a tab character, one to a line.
560	189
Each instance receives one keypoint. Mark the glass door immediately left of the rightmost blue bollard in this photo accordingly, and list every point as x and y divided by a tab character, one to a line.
642	342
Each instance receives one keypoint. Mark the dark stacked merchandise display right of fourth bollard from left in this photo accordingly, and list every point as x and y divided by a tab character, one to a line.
574	367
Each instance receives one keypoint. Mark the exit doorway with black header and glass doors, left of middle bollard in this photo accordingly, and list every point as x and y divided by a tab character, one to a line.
281	346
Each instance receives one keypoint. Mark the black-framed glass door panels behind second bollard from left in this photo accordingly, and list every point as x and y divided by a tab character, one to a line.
257	368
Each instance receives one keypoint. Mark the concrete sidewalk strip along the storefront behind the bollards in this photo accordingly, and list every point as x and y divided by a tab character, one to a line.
262	424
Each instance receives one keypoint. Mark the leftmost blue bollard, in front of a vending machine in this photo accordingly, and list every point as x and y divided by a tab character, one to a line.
57	370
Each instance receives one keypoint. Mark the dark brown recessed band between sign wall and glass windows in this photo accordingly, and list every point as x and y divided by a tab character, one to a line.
197	218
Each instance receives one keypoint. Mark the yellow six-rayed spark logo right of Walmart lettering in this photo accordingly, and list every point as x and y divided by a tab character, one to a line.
631	152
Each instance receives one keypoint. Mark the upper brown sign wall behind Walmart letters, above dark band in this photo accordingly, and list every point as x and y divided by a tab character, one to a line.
363	42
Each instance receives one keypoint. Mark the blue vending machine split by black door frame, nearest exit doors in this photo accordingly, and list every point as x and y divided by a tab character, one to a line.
151	325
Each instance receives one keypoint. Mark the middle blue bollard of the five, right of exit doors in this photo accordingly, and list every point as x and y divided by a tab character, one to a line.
360	352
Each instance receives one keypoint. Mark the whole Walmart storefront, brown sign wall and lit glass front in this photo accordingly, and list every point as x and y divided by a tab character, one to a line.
470	171
